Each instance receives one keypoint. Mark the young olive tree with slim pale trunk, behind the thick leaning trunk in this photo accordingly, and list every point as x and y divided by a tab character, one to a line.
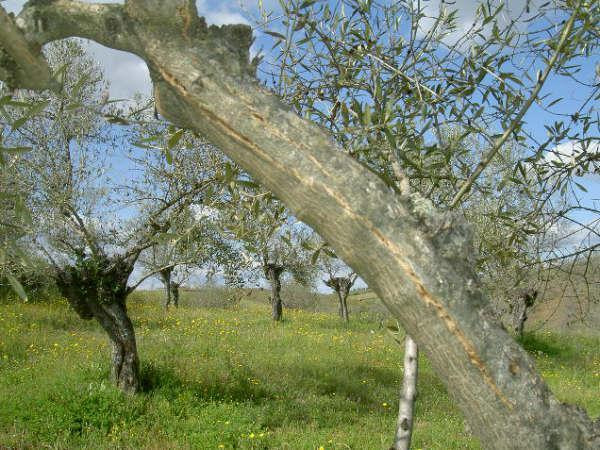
417	103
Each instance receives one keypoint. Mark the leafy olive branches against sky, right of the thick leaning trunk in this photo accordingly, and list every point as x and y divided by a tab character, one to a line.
403	83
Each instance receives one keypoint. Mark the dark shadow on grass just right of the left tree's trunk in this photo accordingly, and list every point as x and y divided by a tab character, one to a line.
235	388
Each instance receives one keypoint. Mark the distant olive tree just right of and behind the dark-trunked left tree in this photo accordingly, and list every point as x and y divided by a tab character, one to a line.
193	172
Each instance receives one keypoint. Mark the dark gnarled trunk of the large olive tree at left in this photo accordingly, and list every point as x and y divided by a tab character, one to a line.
97	289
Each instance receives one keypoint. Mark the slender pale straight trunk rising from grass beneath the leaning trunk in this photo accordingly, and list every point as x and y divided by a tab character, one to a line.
407	396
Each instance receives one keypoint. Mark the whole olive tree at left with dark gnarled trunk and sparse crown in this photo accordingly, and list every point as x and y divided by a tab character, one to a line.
92	251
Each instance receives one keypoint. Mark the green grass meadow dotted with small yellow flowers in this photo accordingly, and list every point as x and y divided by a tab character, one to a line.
230	378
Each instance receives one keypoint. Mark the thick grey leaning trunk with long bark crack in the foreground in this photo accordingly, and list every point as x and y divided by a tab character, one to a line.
418	260
